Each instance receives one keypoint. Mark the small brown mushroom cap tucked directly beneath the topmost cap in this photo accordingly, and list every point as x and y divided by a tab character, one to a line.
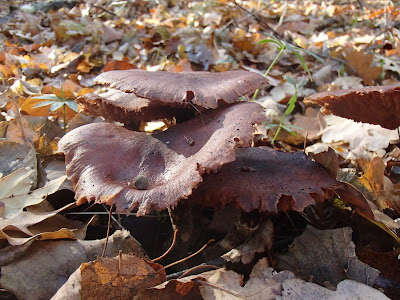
127	108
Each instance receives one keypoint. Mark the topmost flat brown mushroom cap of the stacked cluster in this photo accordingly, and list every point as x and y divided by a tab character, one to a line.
203	89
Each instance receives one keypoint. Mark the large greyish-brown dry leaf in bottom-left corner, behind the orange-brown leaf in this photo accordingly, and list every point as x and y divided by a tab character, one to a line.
47	265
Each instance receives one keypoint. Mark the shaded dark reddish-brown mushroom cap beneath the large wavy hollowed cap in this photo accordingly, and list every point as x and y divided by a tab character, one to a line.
260	177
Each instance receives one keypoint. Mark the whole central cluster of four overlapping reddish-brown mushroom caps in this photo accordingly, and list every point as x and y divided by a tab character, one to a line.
202	158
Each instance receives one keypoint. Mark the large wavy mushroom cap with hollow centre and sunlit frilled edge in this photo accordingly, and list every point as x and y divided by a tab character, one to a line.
105	161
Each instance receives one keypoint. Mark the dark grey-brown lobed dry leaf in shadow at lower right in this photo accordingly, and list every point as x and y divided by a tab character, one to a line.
327	257
